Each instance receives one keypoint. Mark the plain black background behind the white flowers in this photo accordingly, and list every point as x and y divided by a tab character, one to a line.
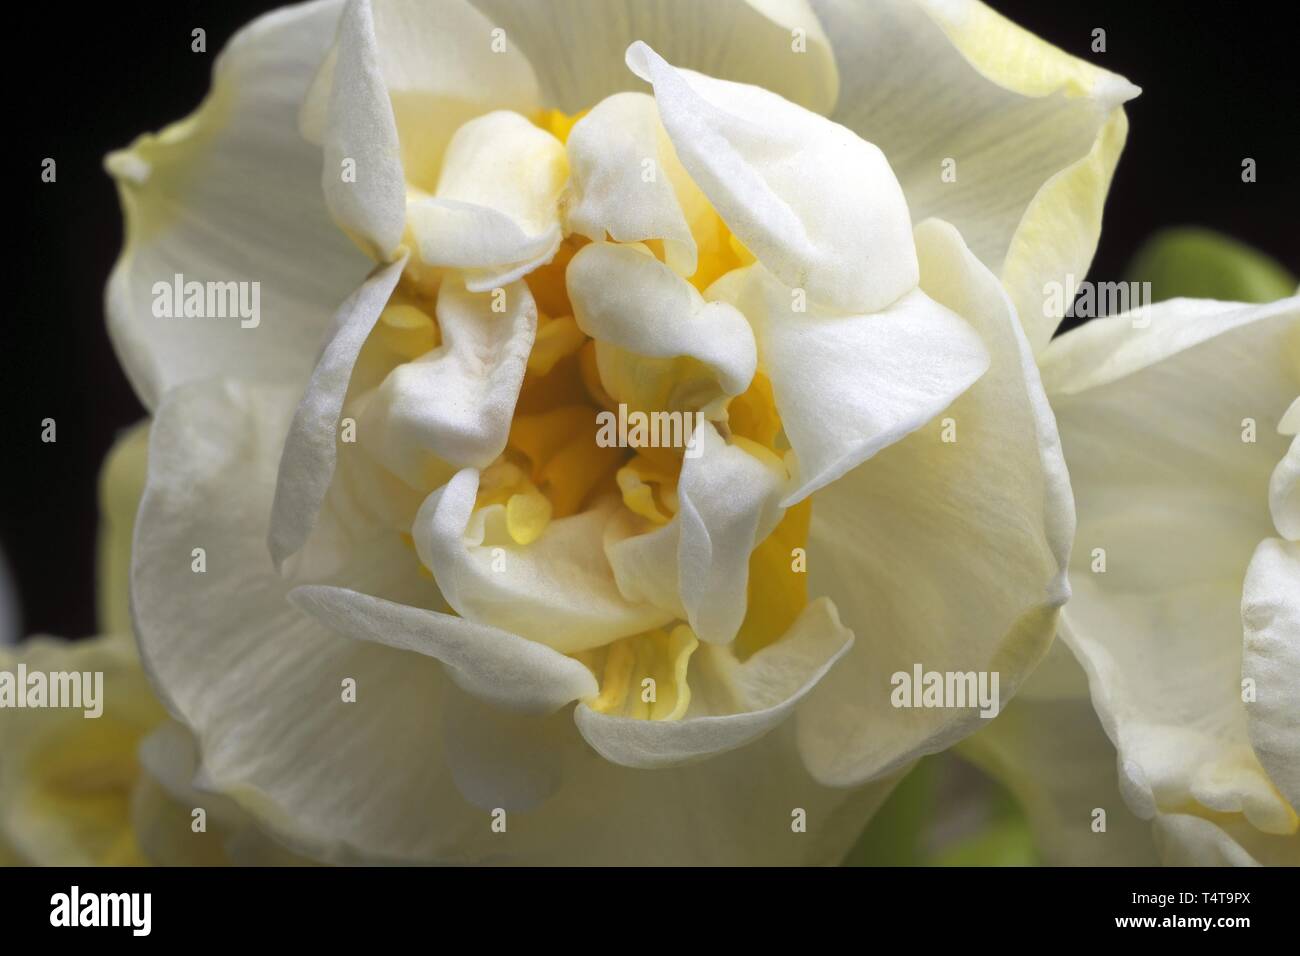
1219	80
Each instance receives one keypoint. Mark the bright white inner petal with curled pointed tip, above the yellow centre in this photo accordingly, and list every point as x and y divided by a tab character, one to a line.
818	206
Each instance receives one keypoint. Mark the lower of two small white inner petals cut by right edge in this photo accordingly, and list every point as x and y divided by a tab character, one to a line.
1271	657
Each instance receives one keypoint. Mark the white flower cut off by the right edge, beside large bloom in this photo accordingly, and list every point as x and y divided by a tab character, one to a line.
1180	429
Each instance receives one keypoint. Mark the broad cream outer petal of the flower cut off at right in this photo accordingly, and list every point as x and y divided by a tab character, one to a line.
1158	416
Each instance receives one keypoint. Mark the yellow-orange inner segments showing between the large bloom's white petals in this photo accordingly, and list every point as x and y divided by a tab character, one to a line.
556	468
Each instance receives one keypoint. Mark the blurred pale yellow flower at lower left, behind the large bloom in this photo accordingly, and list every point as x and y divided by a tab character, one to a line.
111	790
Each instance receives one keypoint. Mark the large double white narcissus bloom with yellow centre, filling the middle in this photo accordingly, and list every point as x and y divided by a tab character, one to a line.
410	602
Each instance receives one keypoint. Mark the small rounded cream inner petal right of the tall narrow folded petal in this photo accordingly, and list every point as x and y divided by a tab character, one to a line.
496	210
